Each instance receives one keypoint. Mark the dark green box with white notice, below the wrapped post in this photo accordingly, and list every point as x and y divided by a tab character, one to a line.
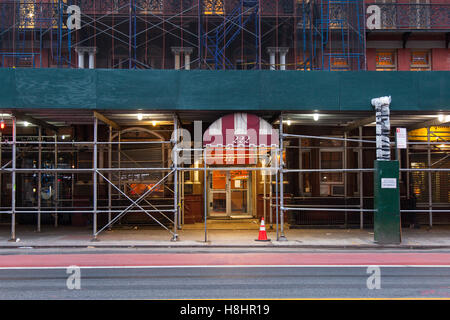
387	226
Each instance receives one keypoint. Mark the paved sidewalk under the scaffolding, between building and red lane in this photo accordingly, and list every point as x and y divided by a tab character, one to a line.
193	236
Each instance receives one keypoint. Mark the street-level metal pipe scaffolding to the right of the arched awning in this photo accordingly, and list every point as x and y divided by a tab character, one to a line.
421	195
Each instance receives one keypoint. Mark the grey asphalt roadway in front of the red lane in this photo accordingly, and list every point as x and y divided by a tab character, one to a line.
231	282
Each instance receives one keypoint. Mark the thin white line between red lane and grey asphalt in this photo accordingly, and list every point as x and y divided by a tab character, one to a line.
225	266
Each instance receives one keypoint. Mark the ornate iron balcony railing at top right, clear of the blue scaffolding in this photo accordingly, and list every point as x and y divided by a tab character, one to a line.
409	16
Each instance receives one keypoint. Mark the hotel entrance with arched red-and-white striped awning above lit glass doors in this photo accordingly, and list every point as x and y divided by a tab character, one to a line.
236	147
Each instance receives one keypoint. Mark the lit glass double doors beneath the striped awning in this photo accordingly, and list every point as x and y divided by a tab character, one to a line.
229	194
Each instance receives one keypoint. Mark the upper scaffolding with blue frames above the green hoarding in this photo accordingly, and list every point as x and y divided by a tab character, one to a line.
219	34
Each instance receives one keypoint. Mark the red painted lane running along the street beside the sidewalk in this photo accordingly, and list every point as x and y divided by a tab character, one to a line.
224	259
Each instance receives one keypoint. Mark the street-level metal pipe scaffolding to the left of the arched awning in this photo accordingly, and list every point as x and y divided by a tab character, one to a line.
121	179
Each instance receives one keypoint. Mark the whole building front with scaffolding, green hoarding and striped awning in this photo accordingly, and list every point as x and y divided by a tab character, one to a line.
286	133
